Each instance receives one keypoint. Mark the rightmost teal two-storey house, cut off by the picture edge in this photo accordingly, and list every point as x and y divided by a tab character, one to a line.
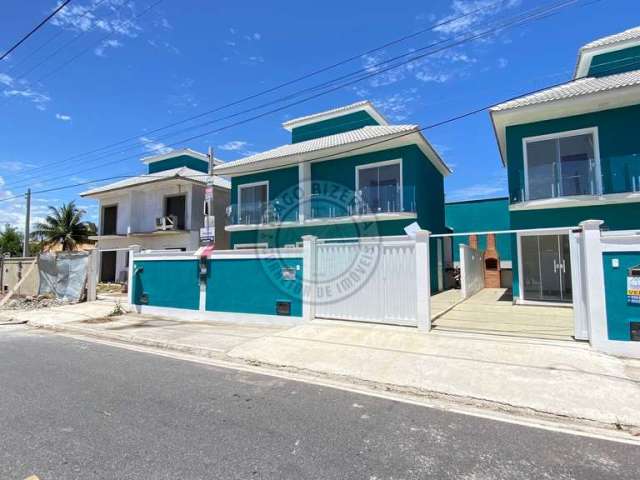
572	153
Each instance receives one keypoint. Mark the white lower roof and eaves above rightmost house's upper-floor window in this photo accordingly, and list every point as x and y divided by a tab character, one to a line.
619	97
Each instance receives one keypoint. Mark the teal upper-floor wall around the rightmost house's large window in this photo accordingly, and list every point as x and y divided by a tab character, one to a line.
618	138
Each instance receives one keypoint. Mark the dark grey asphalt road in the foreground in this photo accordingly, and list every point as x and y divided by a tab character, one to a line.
71	409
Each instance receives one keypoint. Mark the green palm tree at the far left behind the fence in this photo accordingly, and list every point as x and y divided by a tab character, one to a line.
64	226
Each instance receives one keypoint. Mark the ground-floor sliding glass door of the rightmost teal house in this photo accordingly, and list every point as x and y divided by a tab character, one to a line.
546	268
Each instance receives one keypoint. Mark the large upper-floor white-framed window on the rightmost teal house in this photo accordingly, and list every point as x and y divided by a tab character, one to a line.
563	164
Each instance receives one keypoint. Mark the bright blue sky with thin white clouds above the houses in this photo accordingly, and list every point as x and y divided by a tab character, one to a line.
106	70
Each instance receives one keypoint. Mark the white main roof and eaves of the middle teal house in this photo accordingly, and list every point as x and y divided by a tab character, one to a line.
318	150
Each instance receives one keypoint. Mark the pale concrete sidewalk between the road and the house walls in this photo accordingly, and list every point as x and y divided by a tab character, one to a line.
522	375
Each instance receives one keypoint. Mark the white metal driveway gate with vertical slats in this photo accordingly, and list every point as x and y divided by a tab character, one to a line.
371	281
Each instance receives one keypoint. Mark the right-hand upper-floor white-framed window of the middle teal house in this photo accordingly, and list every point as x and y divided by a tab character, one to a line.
379	187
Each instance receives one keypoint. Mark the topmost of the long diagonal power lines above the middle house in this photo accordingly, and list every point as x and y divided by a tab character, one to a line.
290	82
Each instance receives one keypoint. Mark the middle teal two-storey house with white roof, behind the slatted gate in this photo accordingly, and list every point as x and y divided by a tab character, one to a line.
347	173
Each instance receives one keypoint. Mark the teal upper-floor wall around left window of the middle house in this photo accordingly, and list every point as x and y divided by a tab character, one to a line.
282	188
